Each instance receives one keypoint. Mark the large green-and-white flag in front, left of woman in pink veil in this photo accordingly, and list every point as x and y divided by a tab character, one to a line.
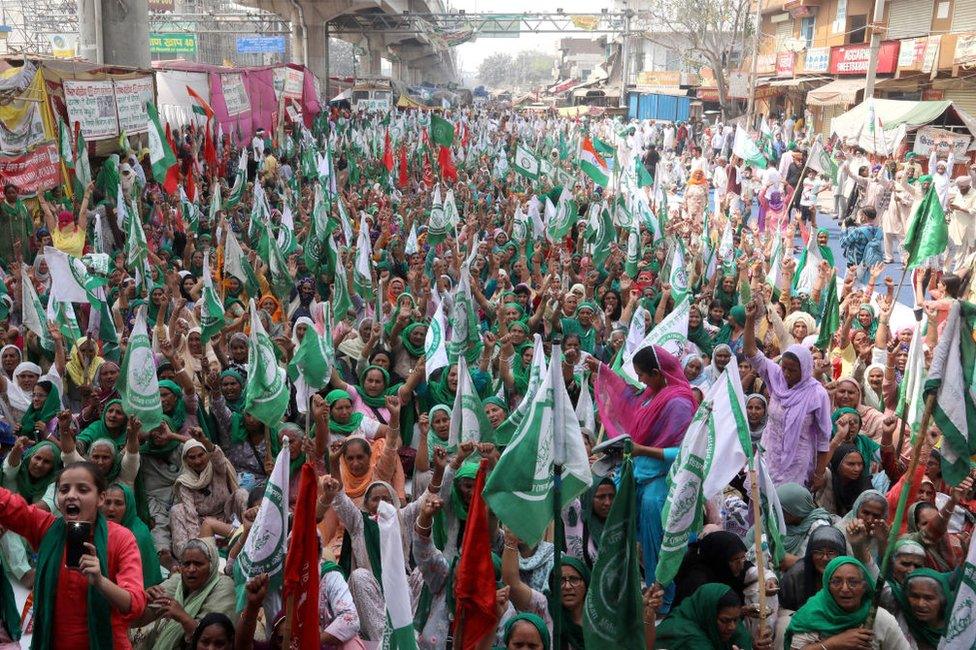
519	489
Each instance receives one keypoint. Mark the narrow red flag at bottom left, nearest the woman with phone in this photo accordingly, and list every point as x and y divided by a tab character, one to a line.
302	565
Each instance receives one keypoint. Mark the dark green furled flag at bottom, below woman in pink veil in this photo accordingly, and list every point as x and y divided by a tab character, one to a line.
613	609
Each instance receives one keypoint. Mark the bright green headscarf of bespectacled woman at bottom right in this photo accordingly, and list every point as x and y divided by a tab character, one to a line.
822	614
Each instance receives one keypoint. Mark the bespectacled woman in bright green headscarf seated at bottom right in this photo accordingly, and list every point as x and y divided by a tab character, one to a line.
835	615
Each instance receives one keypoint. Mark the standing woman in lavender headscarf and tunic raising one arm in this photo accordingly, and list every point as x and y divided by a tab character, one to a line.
797	436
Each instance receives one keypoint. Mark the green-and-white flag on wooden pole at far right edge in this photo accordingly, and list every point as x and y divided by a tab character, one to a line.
952	378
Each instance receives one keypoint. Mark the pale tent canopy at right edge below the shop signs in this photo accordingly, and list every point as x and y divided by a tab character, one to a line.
895	113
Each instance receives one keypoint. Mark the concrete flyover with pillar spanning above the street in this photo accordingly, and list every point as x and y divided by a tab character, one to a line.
415	57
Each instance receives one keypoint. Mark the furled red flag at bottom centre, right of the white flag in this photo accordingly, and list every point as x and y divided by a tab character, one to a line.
474	582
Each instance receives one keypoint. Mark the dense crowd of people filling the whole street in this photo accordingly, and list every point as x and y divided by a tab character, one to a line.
682	222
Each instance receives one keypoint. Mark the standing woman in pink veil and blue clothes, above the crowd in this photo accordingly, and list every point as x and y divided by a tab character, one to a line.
656	420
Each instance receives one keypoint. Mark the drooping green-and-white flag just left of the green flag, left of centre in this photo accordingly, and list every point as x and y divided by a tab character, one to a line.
266	396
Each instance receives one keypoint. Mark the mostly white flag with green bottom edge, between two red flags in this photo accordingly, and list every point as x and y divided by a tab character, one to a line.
399	612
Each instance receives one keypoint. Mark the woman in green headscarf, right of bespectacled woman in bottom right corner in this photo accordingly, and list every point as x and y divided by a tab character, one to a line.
924	605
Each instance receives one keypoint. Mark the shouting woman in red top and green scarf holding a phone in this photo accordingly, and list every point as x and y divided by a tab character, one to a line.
107	577
